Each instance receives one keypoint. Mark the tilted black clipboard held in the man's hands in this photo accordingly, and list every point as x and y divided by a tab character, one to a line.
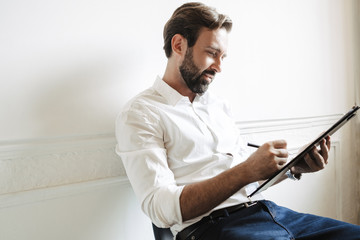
336	126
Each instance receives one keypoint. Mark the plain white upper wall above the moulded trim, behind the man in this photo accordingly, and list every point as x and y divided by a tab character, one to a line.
68	66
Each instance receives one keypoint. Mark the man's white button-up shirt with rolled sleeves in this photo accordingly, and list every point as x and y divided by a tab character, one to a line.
166	142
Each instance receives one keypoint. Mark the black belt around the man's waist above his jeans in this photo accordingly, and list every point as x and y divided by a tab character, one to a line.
197	229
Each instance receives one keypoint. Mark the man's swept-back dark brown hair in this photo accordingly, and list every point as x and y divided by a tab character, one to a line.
188	19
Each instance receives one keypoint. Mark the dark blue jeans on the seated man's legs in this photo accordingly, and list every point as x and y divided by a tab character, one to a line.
267	221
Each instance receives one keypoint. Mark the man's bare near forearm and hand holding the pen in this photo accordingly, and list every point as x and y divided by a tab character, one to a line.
199	198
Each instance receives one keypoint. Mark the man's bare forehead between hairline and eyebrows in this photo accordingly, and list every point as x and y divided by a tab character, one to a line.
217	38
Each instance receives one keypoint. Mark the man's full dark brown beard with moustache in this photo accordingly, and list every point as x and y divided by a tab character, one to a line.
192	75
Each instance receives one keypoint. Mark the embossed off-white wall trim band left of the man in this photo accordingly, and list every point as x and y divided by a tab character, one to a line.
43	163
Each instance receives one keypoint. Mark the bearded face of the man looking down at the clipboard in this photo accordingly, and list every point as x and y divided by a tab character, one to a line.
203	60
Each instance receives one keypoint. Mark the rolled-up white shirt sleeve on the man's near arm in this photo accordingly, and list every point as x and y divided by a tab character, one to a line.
141	148
